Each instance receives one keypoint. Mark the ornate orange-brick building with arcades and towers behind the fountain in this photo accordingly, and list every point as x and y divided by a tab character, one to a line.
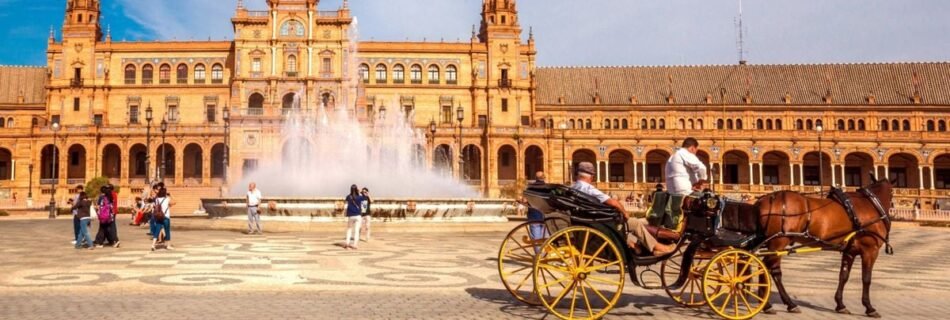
492	117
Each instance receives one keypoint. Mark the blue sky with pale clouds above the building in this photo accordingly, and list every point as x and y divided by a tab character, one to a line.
568	32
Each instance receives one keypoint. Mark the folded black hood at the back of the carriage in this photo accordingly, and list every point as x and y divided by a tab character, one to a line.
555	197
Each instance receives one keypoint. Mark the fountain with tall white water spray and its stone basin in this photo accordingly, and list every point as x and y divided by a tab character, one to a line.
328	148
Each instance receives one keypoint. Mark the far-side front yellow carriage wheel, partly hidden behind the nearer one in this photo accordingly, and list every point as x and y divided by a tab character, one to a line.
689	291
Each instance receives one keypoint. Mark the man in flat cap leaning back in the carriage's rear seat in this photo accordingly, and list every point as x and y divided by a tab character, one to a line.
638	233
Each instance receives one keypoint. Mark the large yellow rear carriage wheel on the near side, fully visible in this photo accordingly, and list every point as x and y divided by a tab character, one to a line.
579	274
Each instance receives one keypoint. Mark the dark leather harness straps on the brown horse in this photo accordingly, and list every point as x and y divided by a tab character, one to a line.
842	198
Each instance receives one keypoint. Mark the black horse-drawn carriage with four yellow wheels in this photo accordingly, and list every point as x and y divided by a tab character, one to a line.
575	262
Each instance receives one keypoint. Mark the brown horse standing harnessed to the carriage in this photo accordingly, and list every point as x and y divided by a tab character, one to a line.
796	218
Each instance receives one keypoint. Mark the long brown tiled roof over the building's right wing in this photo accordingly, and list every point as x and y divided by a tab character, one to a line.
889	83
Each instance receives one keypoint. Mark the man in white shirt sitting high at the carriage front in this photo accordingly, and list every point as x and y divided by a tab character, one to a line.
684	174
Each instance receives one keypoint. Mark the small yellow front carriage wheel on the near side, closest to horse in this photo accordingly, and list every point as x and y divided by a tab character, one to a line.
736	284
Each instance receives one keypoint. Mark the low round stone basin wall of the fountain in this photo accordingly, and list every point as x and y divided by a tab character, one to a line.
332	209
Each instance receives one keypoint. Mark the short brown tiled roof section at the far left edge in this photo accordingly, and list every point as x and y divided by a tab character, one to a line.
29	82
